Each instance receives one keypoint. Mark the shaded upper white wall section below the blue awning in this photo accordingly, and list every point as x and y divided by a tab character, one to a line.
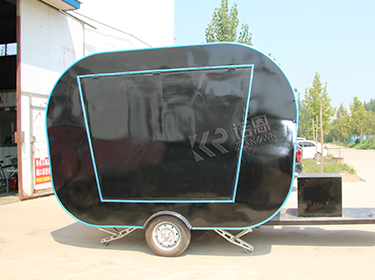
48	40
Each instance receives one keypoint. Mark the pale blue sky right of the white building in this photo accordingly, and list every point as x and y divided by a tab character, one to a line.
334	38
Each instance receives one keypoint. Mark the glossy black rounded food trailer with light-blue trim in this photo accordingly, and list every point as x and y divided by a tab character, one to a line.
176	139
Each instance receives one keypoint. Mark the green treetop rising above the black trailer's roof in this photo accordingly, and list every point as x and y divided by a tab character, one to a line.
223	26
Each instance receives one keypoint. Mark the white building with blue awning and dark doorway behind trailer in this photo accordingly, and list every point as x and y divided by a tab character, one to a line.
38	41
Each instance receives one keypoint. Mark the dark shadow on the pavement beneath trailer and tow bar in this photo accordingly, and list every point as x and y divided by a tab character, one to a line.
210	243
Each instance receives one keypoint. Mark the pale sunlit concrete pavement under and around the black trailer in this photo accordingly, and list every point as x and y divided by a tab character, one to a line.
39	240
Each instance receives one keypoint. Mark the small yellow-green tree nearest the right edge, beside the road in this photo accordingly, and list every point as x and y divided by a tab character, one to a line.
360	121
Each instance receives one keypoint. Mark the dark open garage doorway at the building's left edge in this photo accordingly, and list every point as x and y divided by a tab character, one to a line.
8	100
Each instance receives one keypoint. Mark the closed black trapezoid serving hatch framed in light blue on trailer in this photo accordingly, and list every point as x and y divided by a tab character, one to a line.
140	127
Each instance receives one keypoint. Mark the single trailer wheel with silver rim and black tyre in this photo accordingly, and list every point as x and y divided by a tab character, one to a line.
167	236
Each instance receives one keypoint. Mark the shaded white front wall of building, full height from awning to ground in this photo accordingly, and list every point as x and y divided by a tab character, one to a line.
50	42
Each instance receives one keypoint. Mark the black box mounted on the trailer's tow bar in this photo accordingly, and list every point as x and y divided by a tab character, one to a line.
319	195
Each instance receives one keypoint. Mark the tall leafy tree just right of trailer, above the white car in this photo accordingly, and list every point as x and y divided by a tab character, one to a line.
314	96
